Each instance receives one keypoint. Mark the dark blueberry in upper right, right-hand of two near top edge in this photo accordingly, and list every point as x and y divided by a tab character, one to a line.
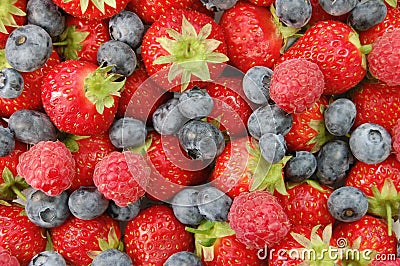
367	14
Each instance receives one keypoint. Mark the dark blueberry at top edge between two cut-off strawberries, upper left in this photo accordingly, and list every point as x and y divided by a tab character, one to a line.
46	14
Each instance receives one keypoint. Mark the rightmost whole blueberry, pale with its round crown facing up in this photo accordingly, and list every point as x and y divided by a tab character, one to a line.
370	143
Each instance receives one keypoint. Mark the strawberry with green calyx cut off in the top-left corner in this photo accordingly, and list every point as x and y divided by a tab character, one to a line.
12	15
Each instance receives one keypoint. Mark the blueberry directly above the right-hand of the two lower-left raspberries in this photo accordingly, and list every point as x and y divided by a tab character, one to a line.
128	133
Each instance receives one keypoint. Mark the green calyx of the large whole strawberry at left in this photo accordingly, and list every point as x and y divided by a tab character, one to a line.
101	86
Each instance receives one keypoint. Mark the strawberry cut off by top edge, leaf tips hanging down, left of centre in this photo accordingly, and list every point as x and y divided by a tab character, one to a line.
93	9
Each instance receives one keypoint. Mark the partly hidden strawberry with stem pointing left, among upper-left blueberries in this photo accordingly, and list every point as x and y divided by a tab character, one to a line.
82	38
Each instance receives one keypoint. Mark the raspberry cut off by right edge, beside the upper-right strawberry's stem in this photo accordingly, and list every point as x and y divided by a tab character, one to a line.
383	60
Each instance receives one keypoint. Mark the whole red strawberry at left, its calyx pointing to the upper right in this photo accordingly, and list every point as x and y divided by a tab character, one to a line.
81	98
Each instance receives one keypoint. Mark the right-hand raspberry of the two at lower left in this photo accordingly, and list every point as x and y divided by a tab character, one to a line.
122	177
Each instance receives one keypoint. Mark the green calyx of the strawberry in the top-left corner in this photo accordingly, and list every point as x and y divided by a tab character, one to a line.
7	12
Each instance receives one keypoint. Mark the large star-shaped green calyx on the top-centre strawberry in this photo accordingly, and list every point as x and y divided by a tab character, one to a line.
189	53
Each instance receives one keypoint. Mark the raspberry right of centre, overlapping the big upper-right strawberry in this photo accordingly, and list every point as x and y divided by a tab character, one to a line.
296	85
